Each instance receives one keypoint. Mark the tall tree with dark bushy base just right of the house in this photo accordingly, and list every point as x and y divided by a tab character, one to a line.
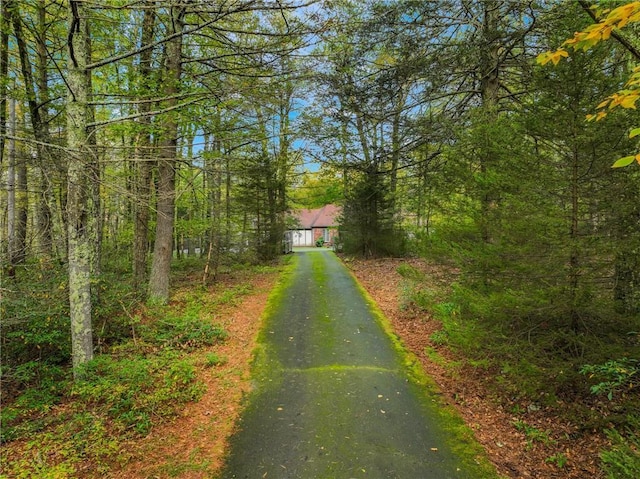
363	100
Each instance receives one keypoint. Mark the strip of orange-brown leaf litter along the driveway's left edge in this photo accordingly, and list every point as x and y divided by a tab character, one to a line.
193	445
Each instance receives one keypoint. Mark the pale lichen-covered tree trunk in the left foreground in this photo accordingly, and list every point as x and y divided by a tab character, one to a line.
80	242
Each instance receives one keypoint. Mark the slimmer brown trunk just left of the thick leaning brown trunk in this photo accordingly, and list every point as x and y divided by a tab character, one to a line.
142	165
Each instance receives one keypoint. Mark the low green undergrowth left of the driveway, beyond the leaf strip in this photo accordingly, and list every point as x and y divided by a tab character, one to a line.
145	371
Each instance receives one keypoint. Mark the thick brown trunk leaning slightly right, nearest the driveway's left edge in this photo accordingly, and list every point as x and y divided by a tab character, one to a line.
167	163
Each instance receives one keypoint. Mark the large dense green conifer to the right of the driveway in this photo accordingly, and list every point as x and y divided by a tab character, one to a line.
552	243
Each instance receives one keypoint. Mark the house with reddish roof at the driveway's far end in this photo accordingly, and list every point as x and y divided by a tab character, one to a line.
315	224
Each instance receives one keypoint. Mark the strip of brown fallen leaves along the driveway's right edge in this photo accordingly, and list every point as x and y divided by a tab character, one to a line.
553	447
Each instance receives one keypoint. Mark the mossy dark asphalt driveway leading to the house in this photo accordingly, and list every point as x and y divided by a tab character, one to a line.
333	399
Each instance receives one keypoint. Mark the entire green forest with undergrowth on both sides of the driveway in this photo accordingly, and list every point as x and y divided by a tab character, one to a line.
149	149
